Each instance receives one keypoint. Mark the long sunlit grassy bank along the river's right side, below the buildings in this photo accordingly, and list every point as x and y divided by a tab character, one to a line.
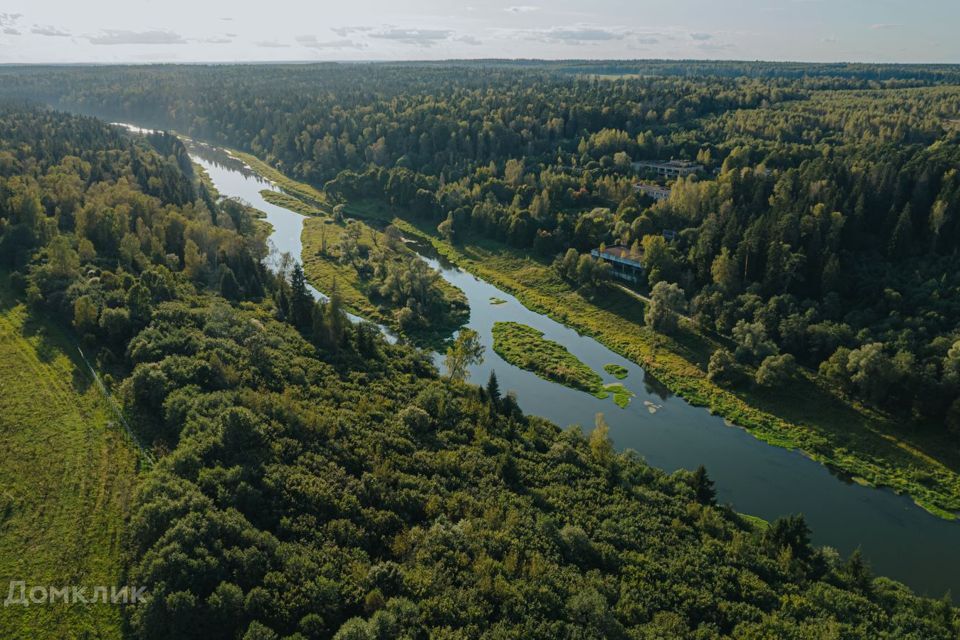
871	448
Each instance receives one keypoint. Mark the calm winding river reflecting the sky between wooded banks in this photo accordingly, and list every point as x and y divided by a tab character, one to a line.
899	539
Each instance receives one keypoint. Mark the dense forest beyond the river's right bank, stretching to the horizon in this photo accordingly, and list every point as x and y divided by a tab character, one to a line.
823	229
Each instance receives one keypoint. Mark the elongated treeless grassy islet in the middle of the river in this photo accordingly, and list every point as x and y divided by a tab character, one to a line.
525	347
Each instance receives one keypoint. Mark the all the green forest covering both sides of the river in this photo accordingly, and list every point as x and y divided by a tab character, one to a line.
313	480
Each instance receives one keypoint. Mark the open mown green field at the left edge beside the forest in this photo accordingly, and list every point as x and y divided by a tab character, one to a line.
67	476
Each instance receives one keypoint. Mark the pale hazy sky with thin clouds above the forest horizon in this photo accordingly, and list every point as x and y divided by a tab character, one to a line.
145	31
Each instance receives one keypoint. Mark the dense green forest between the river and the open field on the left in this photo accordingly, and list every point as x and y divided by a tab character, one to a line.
313	480
